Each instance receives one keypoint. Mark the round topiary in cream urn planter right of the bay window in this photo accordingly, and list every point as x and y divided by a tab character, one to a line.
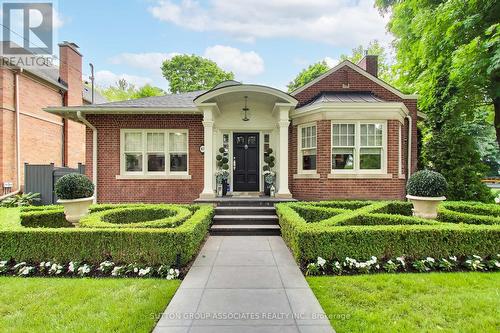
426	189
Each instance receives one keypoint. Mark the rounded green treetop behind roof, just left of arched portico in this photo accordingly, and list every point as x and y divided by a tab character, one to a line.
191	72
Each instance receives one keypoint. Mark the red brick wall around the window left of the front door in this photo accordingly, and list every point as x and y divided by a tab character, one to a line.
111	189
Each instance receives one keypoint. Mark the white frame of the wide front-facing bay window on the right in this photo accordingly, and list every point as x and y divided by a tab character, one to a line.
357	147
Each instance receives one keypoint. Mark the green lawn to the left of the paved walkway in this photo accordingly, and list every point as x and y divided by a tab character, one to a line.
82	305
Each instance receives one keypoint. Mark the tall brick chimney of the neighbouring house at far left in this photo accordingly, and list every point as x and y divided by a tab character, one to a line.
70	71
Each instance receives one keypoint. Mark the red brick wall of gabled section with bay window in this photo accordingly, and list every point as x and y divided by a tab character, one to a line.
345	80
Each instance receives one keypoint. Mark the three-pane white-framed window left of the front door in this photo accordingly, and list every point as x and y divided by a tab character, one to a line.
144	152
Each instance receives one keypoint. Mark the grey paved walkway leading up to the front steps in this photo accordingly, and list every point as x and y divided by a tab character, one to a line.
244	284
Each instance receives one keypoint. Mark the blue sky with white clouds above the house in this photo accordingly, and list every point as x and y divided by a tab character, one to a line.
261	41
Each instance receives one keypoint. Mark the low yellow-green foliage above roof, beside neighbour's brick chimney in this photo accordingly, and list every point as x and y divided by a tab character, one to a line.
124	91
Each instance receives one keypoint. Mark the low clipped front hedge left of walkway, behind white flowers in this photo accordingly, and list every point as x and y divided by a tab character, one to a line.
152	246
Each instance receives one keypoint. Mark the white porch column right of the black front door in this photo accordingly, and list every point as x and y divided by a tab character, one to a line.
283	191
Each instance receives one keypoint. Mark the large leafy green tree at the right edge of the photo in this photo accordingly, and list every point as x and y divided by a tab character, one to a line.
448	51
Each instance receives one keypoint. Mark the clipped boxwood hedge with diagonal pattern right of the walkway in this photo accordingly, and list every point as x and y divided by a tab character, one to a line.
380	229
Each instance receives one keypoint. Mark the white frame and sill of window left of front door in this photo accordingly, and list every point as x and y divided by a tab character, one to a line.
144	174
